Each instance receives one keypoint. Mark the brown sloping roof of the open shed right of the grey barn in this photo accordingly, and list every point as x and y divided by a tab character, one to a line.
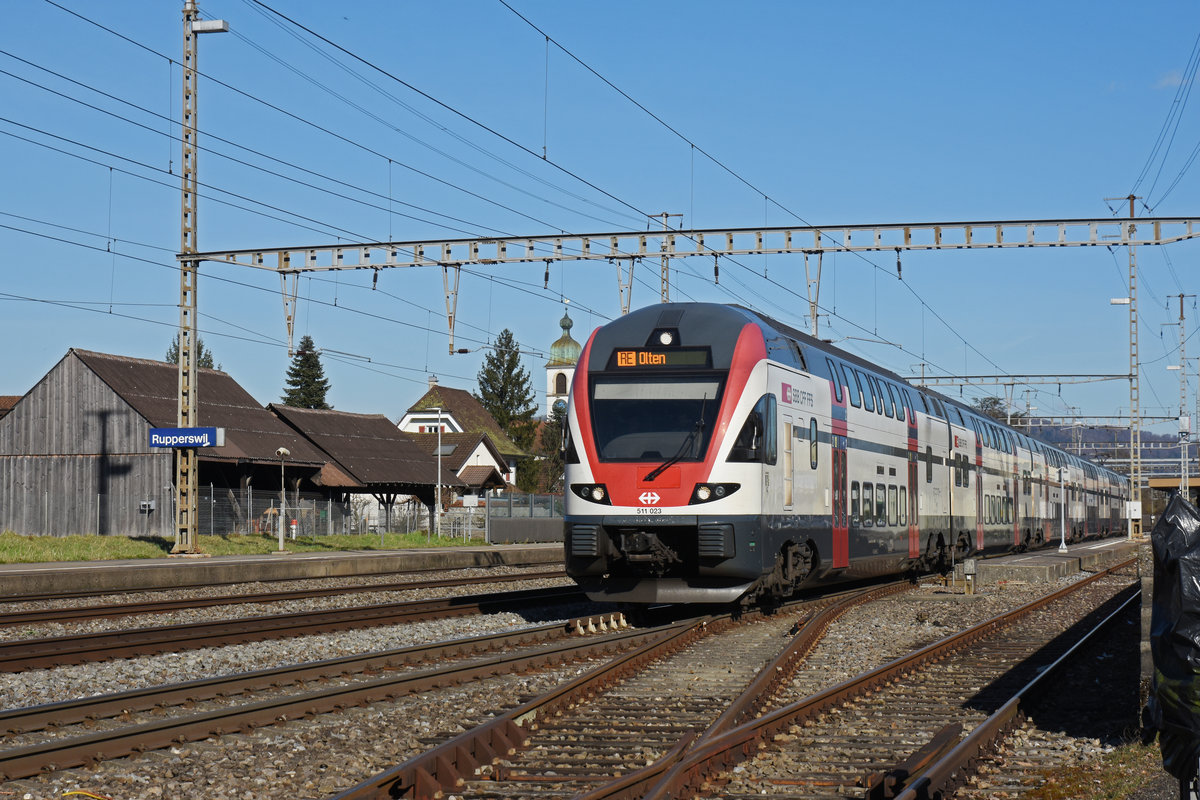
368	448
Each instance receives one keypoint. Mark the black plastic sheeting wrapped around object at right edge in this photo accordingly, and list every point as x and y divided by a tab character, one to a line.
1174	708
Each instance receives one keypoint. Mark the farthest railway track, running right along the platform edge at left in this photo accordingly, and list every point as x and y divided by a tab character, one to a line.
111	611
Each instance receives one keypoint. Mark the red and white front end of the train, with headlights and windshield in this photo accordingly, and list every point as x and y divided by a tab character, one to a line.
665	488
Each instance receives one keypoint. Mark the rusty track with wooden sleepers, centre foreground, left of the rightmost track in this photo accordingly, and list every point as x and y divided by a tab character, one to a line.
701	678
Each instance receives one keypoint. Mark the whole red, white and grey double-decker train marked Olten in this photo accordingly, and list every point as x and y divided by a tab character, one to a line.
716	455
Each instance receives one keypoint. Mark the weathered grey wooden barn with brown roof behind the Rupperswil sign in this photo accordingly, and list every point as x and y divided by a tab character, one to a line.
76	456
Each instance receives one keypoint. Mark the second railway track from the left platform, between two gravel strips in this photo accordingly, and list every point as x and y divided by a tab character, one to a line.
56	652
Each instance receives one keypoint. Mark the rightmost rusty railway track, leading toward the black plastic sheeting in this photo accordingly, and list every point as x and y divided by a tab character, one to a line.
898	731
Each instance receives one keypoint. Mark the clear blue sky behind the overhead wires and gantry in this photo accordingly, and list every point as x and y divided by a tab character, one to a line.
874	113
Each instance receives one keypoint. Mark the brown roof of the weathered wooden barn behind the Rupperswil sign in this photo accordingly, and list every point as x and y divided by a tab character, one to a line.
152	389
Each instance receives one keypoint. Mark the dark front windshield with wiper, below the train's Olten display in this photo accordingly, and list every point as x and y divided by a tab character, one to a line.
635	419
